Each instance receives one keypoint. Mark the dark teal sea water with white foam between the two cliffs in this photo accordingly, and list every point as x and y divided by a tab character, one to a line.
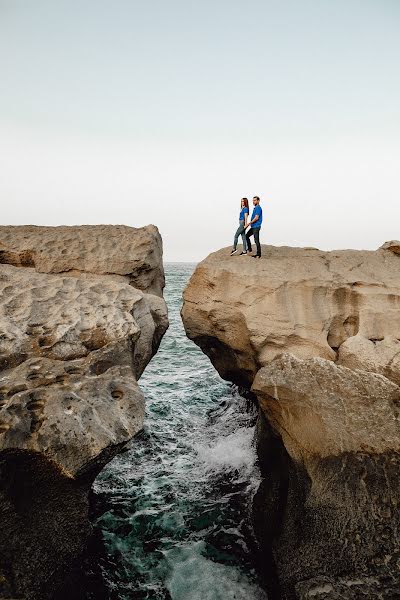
176	523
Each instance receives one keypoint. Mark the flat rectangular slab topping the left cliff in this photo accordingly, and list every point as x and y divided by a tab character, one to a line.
133	253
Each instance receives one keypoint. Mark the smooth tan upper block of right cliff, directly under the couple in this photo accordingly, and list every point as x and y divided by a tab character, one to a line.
306	302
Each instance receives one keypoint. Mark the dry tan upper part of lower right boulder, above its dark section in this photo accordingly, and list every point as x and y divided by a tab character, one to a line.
321	409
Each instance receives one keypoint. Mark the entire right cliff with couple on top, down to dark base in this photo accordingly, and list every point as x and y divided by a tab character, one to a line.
316	337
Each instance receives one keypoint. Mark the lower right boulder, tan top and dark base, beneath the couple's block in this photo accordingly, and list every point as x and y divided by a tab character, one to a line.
341	431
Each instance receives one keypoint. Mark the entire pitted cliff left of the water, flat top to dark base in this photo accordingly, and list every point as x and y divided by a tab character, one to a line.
81	315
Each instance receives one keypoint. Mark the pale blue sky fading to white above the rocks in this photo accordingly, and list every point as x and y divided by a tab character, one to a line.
169	112
